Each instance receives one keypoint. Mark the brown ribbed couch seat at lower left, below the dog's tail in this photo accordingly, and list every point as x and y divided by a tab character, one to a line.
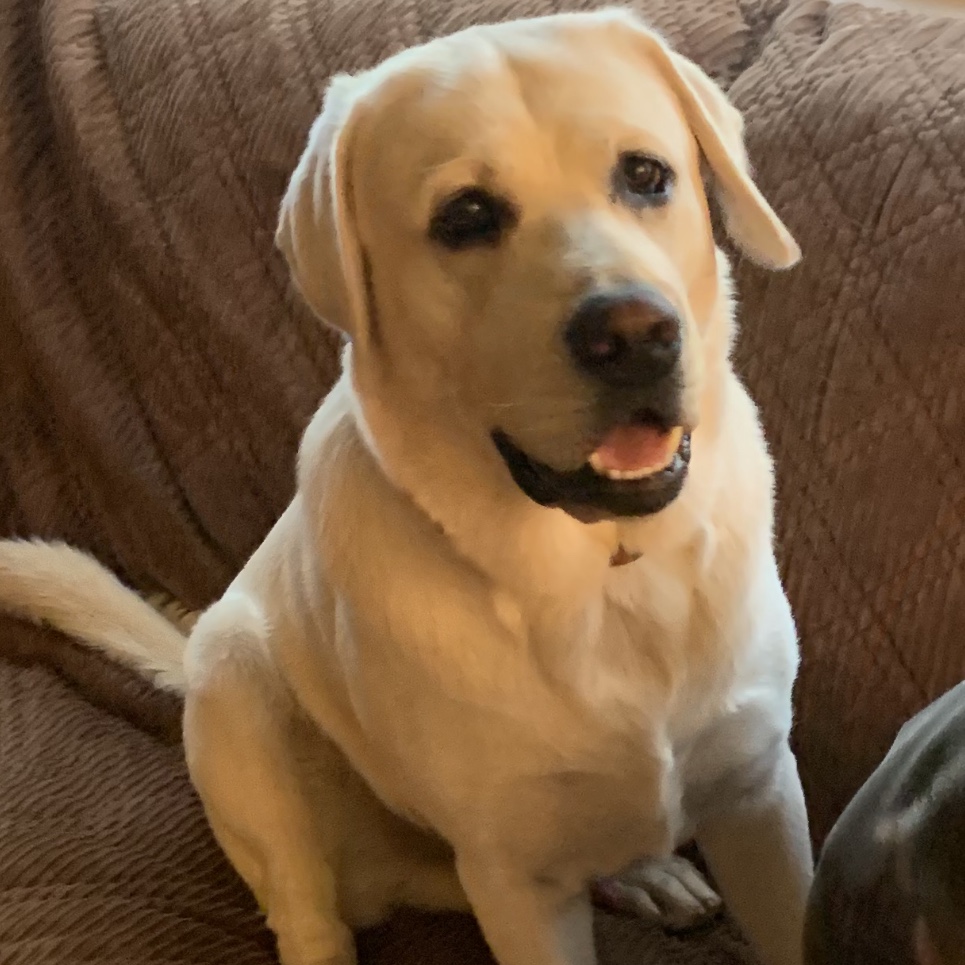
105	855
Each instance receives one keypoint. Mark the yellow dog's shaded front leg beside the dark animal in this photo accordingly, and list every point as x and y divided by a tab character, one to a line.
759	852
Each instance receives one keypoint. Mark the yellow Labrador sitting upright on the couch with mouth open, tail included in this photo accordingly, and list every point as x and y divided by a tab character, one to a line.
520	633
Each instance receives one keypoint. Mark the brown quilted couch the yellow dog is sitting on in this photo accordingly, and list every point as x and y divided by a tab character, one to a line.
156	371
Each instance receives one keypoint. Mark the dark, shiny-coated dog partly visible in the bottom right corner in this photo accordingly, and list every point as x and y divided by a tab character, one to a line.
904	832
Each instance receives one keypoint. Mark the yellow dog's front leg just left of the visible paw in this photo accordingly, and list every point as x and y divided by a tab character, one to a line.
527	921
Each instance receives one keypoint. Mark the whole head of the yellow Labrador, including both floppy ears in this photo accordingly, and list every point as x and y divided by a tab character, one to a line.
511	226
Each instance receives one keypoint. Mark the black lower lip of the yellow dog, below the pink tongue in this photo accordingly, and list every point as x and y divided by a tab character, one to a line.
578	491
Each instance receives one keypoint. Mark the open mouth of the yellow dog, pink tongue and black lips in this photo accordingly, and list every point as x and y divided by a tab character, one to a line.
636	469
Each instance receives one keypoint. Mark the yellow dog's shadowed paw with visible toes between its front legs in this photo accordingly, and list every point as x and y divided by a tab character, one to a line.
671	891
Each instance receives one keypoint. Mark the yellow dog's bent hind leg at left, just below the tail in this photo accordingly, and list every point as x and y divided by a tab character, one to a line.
248	753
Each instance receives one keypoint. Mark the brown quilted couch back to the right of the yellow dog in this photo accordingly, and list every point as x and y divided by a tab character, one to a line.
856	121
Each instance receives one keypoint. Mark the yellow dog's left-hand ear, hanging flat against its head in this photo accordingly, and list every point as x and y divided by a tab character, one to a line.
317	230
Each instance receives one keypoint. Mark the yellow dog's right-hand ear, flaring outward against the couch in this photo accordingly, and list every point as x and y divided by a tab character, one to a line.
719	130
